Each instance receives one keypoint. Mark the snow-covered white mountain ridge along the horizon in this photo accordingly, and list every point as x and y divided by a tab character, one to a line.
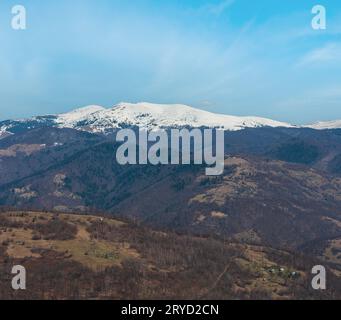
145	115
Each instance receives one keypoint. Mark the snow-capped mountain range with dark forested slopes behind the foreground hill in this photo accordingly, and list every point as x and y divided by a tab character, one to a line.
281	187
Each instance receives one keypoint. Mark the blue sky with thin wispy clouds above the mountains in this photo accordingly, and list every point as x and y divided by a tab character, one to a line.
239	57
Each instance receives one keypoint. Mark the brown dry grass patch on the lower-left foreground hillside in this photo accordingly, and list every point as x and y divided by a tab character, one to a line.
92	253
